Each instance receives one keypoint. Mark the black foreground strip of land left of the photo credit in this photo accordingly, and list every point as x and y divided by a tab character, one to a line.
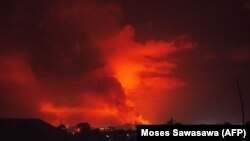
38	130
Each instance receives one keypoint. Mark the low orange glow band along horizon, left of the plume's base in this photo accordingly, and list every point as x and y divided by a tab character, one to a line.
99	111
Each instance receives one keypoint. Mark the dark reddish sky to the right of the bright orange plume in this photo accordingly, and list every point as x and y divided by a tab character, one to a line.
221	30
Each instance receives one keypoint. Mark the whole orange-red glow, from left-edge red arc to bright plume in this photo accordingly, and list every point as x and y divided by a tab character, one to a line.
133	70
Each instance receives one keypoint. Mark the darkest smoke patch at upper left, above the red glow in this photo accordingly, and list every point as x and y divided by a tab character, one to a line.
55	46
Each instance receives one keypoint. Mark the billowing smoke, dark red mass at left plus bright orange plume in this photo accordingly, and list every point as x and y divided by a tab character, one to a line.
75	61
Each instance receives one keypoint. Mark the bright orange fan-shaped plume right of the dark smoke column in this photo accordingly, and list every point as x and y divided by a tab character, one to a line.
143	68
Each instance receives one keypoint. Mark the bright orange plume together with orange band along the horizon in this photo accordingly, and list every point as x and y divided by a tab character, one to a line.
139	68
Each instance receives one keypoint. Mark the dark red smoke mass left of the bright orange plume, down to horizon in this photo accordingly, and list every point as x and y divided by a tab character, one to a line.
51	65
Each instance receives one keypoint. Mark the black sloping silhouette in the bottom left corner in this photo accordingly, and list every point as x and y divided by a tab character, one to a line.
30	130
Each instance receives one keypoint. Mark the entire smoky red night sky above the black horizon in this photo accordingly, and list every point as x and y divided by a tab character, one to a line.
111	62
